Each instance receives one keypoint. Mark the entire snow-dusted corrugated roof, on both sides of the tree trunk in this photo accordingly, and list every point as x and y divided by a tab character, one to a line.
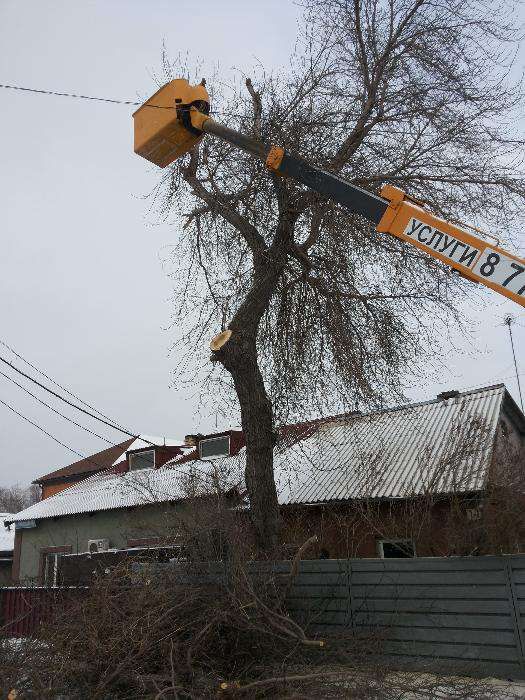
439	446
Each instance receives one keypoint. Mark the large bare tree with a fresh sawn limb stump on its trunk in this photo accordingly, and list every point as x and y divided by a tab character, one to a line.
324	311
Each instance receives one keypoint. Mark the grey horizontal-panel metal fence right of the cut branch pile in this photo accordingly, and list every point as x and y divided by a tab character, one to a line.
462	613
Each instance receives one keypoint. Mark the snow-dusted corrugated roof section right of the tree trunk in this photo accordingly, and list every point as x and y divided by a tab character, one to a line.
439	446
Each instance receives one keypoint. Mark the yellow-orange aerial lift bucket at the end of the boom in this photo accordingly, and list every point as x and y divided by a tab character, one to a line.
162	126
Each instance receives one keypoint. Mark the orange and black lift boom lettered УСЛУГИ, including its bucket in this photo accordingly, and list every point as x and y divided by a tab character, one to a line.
163	134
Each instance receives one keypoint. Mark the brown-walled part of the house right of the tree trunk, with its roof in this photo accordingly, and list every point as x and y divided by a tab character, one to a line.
436	478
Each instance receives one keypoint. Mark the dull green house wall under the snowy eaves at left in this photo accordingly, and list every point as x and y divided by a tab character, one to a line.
116	525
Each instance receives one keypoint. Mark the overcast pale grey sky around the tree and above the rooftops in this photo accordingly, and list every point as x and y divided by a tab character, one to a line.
83	293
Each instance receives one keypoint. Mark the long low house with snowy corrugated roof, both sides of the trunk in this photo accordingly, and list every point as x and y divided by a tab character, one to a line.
420	479
